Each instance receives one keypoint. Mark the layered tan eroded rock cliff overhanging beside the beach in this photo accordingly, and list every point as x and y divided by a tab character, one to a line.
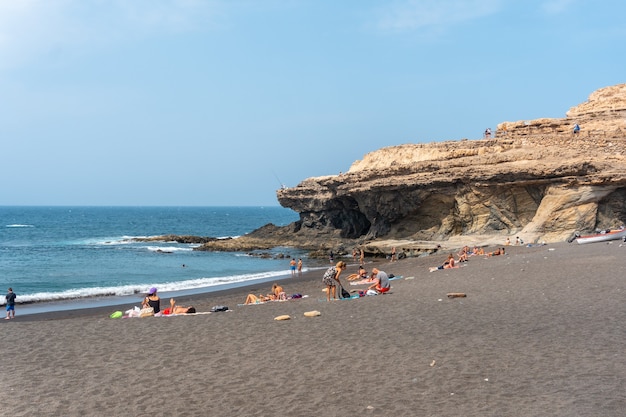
542	182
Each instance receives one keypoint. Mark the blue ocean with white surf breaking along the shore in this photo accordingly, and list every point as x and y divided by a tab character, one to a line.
72	257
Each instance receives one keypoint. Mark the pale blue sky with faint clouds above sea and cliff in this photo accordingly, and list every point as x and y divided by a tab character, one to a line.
220	102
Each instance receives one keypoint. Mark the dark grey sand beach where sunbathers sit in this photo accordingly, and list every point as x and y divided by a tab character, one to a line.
540	333
